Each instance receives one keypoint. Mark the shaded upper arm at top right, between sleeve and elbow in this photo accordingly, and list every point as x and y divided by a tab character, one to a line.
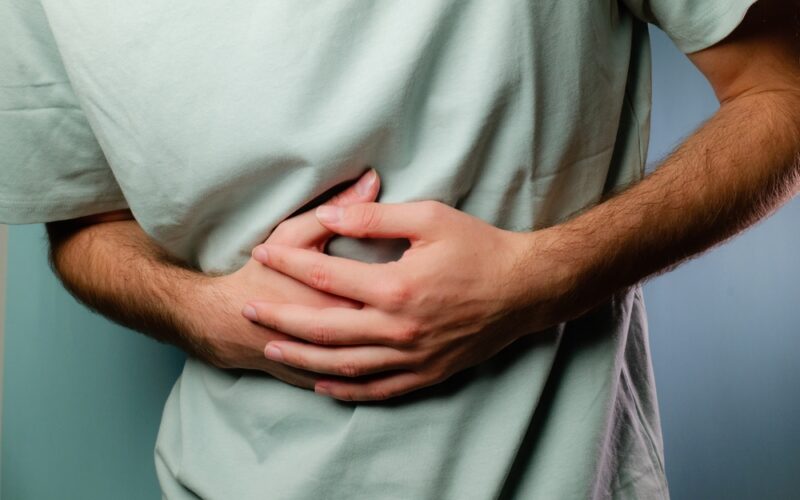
761	54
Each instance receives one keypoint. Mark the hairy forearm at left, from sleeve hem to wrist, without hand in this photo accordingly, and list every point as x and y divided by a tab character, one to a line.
115	269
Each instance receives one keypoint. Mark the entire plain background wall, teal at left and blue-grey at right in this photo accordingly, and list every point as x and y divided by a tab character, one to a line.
83	397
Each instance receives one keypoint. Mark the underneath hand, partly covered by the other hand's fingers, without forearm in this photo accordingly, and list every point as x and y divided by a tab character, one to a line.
239	343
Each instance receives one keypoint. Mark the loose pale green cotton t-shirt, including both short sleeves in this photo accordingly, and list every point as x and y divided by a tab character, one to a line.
214	121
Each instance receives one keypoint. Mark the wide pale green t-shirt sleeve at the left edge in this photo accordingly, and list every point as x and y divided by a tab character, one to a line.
51	166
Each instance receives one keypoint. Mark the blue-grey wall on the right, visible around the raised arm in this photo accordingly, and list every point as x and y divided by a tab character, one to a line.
725	333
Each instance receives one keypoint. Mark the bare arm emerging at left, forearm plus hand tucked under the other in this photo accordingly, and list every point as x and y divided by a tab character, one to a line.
108	262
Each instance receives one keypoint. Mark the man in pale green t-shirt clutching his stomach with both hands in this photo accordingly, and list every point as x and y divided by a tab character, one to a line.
503	354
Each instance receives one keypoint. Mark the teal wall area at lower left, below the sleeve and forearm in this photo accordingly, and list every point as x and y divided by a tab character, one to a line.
82	396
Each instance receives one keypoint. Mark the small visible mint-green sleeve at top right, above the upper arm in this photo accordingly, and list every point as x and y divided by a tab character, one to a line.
692	24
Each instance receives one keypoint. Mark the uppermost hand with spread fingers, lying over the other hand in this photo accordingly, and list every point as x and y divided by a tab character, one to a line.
461	292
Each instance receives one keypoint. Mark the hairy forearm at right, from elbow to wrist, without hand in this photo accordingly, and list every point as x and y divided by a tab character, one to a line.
736	169
